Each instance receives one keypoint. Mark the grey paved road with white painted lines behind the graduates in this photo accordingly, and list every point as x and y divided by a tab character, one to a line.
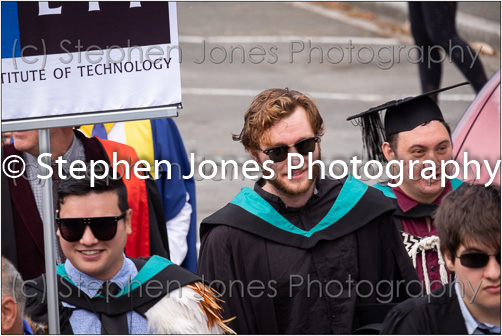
217	92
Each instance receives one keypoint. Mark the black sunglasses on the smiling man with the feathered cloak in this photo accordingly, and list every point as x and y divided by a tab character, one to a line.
103	228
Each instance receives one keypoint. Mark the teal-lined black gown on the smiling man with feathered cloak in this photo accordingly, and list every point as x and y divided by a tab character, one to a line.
157	277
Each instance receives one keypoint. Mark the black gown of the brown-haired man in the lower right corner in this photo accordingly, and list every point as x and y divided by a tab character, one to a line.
436	314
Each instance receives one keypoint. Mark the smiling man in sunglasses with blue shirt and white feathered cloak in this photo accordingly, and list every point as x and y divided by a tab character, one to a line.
101	291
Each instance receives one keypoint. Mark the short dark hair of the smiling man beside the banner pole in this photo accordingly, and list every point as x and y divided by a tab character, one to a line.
80	187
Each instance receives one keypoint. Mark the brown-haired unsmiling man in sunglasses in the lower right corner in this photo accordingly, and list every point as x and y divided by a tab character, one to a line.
468	222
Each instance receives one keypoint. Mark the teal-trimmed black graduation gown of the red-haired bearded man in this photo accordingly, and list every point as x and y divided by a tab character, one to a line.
248	251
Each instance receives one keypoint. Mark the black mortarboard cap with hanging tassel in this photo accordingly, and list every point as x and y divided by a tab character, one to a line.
402	115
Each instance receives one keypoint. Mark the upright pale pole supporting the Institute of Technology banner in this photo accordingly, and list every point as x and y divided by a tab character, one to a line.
49	237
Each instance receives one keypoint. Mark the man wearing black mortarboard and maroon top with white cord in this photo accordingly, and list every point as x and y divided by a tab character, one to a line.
414	130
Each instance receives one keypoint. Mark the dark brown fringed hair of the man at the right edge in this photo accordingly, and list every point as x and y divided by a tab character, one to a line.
470	214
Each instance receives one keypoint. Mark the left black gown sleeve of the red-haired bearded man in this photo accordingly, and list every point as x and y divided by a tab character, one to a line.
229	260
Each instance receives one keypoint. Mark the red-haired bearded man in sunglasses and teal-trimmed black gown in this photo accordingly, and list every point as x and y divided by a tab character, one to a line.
301	255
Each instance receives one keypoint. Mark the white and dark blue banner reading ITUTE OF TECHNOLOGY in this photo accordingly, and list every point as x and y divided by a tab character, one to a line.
74	58
